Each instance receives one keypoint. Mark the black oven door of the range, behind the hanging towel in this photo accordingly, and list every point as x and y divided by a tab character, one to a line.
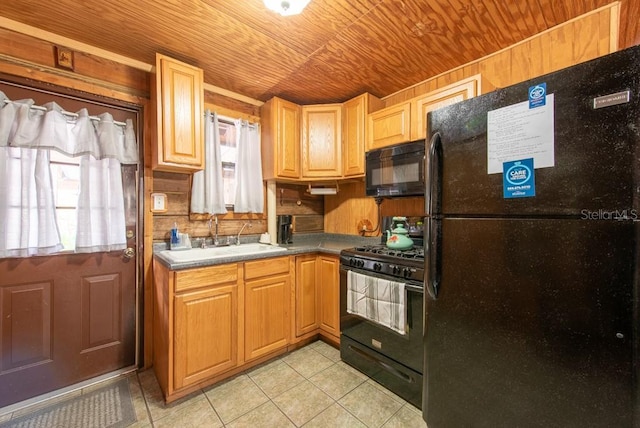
406	349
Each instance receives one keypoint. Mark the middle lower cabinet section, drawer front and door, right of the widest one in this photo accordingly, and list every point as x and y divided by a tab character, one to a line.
266	306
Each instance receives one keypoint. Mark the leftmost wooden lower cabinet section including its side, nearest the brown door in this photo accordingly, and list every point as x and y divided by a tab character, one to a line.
196	326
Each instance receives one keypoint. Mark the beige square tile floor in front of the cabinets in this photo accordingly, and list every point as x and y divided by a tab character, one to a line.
309	387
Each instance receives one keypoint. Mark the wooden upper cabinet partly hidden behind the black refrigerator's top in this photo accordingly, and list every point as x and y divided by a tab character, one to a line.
442	97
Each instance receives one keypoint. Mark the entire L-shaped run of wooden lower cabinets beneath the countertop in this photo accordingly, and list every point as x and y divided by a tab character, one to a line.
213	322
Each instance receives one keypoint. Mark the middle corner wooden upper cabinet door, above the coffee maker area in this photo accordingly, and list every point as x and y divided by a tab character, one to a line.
321	141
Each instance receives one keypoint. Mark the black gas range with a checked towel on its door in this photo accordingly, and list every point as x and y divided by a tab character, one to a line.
392	358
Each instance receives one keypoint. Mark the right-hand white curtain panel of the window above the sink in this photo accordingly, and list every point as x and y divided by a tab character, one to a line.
249	187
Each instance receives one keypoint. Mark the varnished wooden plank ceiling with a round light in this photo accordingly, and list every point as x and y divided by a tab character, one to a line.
334	50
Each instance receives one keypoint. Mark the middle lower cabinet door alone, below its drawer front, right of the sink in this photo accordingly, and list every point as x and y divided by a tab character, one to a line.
267	322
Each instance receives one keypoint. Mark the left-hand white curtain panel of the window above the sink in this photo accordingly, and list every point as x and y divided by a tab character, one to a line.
207	190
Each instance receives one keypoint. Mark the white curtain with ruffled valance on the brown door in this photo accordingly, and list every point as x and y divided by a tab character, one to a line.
27	207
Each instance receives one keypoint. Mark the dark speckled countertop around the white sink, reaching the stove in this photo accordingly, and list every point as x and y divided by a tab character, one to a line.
328	243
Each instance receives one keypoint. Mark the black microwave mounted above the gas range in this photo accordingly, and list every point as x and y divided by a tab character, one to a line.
396	170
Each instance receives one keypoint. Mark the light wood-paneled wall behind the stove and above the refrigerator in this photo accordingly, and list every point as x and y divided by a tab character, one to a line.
576	41
